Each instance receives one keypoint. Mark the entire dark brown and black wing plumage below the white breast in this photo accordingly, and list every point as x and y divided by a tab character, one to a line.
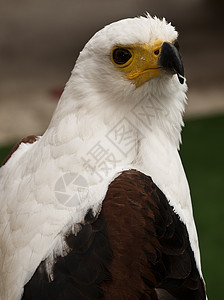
136	248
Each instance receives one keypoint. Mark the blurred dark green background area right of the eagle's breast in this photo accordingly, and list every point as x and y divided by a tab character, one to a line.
202	154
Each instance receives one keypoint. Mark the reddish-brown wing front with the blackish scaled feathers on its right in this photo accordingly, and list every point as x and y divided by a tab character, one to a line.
150	244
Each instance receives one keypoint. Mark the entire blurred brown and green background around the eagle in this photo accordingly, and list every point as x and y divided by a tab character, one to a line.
39	43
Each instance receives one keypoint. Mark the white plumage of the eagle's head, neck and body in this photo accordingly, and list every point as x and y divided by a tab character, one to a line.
97	98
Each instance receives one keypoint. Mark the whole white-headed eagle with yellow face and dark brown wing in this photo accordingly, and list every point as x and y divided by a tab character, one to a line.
99	207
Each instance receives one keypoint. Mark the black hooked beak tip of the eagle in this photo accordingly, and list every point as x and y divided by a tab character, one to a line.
171	61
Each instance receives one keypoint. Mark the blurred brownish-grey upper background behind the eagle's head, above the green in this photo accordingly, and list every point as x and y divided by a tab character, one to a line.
41	39
